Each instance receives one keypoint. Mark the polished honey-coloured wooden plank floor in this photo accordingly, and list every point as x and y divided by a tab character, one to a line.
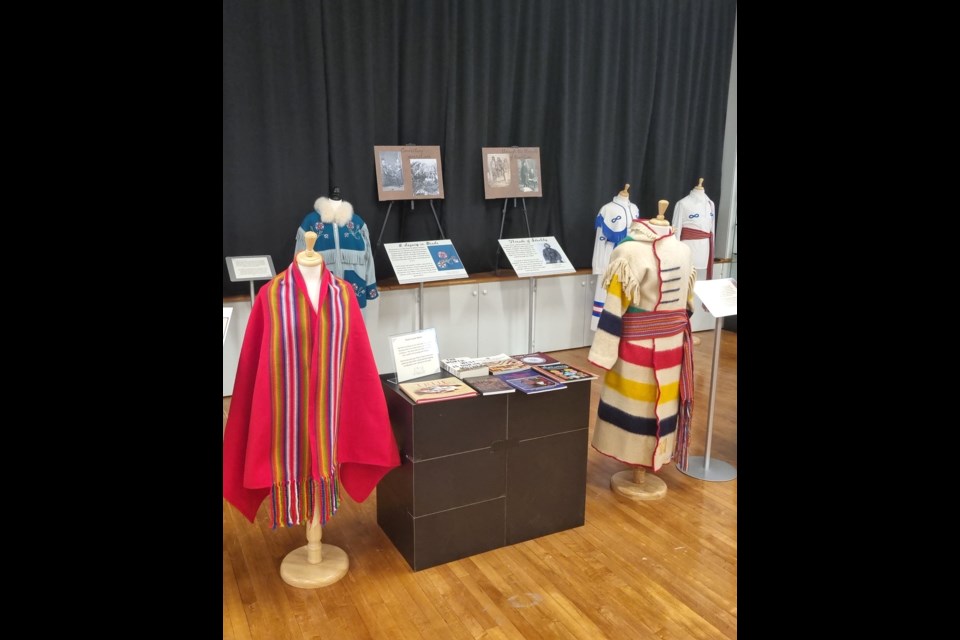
663	569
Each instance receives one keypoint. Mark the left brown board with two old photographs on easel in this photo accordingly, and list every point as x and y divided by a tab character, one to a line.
408	172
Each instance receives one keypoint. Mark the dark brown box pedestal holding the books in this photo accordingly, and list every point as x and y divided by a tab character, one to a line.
481	473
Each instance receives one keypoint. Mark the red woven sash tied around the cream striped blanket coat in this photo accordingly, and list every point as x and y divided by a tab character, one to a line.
648	325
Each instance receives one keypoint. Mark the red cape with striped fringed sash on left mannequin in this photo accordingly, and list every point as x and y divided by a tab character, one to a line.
308	412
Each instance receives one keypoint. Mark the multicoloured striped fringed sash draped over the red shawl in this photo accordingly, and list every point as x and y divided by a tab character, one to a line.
306	365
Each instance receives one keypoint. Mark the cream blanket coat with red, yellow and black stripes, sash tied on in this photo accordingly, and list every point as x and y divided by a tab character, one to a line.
649	285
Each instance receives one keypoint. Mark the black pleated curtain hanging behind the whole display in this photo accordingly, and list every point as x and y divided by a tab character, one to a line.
612	91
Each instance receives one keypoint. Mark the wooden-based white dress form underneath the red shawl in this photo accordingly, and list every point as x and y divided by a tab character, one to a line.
316	564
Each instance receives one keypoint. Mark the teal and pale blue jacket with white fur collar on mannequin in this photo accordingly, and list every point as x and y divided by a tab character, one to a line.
344	241
